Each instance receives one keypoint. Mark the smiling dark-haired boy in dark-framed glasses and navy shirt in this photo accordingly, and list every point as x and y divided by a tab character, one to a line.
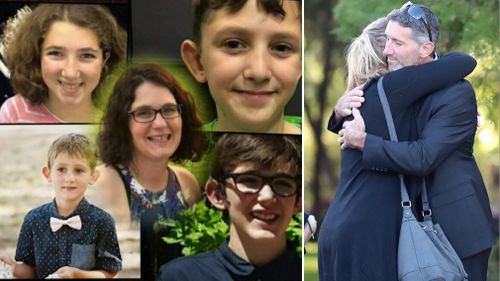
256	181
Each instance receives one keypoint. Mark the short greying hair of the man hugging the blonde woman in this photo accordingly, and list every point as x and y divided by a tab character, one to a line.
417	26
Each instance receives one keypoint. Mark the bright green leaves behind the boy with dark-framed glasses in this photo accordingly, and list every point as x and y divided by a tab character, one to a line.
201	229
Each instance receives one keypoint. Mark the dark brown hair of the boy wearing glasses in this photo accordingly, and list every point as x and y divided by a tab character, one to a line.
266	152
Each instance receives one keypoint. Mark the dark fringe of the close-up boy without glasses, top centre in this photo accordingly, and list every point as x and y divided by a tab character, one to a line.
202	9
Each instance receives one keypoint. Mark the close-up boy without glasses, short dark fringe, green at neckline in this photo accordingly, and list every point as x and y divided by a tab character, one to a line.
249	54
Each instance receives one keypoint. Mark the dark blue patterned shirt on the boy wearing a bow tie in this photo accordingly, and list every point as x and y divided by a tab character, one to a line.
93	247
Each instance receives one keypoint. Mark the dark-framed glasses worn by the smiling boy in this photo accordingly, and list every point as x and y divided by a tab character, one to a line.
281	185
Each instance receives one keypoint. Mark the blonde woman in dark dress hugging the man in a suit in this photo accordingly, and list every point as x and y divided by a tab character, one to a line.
359	235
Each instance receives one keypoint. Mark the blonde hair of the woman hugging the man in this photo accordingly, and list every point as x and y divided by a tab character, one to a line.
365	58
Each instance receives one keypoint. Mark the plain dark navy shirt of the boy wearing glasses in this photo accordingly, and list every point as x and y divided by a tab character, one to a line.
224	264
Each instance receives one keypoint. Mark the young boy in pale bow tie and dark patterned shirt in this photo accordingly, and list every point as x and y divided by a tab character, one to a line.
68	237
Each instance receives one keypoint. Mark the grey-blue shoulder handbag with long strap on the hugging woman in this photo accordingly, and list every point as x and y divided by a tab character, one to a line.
424	252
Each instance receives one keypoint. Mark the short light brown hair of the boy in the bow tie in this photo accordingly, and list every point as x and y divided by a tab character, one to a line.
75	145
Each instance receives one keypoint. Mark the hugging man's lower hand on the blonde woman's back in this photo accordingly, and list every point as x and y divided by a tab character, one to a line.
353	134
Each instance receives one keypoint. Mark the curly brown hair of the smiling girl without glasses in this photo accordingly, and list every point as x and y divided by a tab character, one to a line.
23	53
